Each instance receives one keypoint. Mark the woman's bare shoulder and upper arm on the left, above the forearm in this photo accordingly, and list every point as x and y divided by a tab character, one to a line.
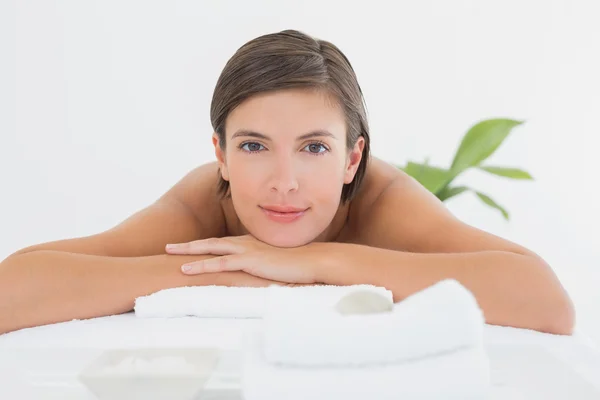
189	210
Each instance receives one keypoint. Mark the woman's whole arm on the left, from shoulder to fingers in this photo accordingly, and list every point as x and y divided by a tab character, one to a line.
102	274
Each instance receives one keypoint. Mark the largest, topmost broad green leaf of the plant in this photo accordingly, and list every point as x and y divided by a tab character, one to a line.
480	142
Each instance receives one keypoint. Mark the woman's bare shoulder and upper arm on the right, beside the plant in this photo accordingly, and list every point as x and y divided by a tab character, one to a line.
394	211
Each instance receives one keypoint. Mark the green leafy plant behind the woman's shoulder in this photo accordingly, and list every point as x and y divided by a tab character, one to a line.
480	142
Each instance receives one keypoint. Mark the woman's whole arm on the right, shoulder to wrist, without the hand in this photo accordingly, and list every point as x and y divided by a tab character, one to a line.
410	241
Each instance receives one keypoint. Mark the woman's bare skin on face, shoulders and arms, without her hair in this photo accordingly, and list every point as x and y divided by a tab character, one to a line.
395	219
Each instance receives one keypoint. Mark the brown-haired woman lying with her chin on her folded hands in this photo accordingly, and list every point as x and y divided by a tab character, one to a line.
293	198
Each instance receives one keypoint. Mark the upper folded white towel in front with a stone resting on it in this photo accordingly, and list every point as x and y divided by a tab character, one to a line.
441	318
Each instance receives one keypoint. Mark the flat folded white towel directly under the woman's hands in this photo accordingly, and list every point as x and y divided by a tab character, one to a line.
237	302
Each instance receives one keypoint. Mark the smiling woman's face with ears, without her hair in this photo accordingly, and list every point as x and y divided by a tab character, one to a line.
286	161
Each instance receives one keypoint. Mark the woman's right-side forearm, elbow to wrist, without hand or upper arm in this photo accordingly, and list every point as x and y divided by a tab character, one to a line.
511	289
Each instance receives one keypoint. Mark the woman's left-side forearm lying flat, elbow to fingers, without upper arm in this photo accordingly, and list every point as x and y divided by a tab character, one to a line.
44	287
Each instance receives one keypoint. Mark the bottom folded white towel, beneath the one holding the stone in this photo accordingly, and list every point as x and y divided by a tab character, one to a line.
460	375
